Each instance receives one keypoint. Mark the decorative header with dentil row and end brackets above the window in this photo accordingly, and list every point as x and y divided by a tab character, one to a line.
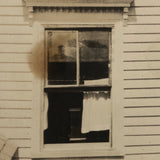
95	6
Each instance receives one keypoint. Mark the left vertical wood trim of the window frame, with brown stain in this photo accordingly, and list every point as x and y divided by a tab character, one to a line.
38	83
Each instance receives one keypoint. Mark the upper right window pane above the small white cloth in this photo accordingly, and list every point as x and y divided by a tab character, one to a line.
94	55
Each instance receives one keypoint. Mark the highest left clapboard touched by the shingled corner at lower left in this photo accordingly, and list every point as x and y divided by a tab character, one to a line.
16	132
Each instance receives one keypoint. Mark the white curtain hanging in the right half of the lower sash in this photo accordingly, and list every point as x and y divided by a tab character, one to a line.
96	114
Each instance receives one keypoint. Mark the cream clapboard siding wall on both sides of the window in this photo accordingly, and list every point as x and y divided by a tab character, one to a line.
141	79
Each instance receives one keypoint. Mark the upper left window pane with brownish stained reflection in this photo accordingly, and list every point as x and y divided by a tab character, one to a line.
61	57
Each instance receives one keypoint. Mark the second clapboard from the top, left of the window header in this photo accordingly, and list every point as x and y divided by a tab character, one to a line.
10	11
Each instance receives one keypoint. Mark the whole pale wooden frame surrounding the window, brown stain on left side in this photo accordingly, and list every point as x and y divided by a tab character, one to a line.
39	150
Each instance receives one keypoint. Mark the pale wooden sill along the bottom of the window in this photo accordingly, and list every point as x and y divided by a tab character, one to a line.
78	150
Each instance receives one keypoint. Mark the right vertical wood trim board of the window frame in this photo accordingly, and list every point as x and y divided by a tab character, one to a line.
117	87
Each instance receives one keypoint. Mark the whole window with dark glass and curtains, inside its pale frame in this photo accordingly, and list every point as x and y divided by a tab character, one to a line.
78	85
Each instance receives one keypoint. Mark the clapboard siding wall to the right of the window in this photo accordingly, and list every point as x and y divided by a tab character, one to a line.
142	81
